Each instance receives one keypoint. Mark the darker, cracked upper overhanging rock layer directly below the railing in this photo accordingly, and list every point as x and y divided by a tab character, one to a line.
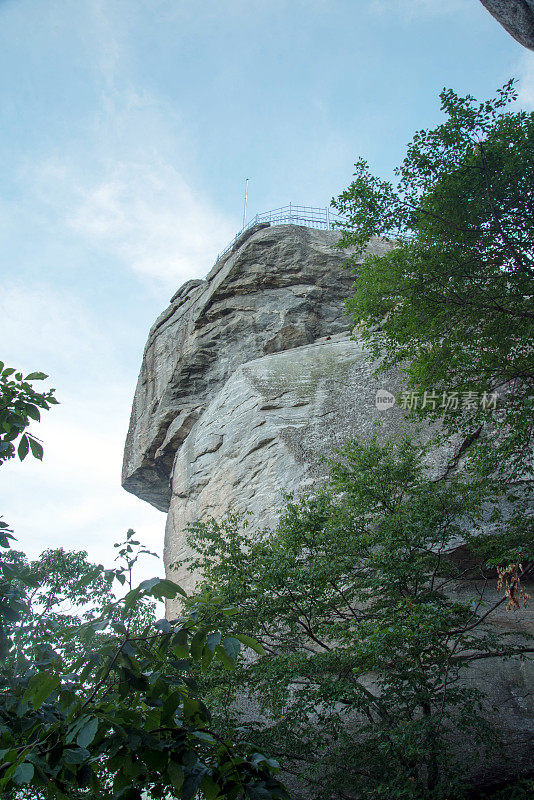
279	288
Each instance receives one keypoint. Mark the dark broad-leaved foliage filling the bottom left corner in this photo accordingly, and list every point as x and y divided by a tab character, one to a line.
121	716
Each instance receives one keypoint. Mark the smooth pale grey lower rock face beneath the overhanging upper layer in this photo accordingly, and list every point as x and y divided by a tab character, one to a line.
264	431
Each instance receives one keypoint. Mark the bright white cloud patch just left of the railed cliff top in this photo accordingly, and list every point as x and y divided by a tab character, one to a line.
148	216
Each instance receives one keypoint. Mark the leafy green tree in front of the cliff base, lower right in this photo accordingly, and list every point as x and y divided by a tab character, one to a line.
369	625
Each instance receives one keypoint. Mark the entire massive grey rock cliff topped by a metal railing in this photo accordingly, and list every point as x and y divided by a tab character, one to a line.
247	378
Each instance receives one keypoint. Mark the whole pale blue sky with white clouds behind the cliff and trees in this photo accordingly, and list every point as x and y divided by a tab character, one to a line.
127	129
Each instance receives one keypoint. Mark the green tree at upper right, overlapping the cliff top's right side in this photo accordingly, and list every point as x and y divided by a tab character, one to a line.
452	303
